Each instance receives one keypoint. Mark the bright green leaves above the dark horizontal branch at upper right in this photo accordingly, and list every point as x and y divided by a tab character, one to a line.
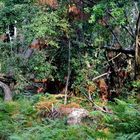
114	14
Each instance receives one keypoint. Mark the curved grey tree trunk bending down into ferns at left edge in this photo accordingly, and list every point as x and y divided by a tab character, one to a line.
7	91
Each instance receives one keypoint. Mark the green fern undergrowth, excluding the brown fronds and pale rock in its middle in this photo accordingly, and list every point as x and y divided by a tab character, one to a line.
19	120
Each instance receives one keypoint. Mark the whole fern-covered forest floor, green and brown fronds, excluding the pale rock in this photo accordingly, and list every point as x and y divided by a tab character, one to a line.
45	117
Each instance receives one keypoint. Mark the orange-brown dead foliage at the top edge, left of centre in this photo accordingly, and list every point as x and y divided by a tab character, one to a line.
52	3
